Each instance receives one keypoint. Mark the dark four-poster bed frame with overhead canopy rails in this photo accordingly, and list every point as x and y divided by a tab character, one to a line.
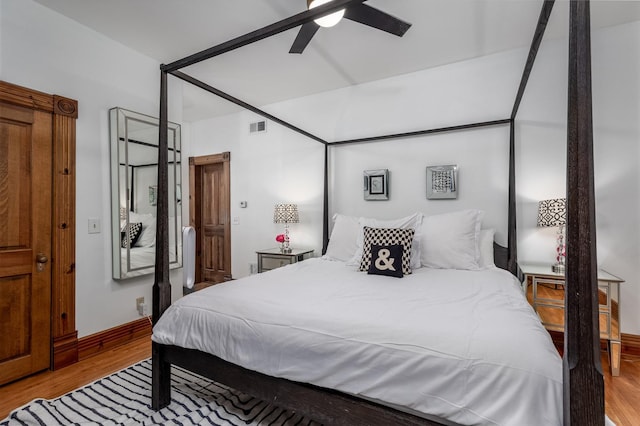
583	380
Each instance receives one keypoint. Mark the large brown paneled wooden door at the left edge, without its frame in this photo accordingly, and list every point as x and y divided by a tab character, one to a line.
25	241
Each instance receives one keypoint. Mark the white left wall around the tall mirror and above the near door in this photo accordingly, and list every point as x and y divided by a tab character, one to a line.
43	50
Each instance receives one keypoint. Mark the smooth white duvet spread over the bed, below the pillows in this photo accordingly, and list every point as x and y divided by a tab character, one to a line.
459	345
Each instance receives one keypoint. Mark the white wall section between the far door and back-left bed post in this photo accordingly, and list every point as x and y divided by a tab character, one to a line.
266	168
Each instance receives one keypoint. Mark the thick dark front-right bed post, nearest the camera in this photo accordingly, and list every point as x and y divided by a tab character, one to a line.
583	380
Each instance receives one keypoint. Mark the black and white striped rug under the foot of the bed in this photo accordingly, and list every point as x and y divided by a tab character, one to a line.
124	398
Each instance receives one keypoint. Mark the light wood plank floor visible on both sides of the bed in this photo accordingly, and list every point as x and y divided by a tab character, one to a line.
622	393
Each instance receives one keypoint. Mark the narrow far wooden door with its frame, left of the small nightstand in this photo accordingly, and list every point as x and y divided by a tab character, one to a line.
210	216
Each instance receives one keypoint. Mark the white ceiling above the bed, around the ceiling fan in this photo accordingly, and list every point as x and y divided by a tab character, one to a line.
443	31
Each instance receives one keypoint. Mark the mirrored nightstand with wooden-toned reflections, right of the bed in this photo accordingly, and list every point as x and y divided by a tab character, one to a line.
547	298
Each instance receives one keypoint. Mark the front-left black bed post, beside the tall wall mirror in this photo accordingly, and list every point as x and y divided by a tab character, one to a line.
161	370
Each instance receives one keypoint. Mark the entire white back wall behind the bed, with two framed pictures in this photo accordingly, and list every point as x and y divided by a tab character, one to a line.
470	91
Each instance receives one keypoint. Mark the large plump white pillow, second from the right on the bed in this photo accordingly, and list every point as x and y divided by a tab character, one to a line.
450	240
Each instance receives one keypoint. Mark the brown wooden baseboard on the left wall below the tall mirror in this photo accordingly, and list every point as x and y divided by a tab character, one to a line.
116	336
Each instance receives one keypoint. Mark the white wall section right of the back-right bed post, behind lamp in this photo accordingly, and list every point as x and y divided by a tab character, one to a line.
616	134
